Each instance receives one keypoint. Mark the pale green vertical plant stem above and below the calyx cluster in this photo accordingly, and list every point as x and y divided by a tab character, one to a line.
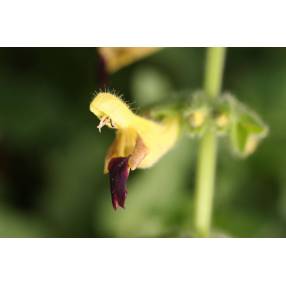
206	165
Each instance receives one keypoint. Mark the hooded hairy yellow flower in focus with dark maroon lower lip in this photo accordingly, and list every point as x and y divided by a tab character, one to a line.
139	142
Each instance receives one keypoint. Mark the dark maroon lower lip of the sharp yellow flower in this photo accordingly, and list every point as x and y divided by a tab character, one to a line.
118	174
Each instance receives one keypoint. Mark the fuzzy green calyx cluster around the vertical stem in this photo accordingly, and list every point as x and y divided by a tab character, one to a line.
229	118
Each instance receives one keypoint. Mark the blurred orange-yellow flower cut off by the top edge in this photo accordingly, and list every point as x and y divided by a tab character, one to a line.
116	58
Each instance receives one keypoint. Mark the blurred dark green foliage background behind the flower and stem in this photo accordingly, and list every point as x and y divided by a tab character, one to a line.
51	154
